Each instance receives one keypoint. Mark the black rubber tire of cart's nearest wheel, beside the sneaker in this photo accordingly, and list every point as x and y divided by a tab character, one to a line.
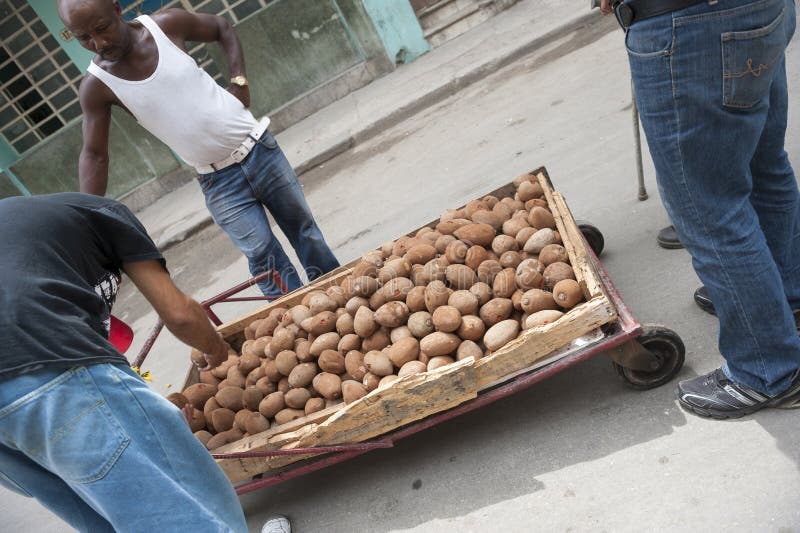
668	348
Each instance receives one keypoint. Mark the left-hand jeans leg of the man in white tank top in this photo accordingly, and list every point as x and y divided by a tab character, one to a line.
233	206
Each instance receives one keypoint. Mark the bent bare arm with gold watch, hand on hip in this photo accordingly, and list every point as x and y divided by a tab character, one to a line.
182	26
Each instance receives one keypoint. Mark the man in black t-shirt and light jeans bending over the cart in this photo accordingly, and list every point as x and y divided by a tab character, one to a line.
79	430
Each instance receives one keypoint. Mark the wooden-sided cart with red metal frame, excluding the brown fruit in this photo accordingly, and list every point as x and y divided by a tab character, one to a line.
643	357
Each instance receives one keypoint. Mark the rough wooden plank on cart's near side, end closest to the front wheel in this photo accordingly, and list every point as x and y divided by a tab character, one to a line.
538	342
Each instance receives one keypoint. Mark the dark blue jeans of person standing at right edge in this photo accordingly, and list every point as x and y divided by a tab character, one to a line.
710	84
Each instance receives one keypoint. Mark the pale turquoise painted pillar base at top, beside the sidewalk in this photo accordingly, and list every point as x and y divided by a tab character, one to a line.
398	28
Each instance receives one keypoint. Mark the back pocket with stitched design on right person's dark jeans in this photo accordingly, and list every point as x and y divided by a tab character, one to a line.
748	58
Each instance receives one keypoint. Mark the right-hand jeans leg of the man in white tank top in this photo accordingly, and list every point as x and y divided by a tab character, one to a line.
275	184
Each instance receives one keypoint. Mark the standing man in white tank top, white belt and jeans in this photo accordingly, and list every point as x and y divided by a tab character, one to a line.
142	67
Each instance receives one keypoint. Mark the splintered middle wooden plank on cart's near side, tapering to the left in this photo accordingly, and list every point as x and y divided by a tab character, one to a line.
408	399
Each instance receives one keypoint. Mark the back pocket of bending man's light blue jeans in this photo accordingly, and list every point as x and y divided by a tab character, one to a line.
67	427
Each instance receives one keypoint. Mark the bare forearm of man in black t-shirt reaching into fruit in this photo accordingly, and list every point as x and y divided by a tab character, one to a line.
183	316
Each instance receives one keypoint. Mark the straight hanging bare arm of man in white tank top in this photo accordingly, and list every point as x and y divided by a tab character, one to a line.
93	161
